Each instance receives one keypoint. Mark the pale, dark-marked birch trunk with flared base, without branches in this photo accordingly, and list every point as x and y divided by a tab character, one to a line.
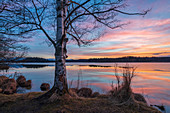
60	86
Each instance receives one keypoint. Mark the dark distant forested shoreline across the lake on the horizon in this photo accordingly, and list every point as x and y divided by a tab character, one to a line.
121	59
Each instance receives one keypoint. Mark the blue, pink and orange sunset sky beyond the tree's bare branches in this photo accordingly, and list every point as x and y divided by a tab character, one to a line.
145	36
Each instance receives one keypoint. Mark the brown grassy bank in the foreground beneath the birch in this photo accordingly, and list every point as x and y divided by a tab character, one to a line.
24	103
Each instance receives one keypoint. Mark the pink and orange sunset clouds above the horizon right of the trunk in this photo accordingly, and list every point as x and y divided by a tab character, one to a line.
145	37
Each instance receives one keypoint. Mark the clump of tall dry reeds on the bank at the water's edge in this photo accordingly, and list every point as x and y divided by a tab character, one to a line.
122	90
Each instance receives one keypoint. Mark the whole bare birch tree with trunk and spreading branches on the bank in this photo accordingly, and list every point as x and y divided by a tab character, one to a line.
60	21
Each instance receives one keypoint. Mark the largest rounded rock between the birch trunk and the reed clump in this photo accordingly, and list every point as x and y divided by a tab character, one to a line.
84	92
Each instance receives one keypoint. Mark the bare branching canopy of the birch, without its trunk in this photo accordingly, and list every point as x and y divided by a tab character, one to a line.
83	17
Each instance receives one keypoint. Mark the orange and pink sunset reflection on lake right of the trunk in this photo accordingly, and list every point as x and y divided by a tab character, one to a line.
152	79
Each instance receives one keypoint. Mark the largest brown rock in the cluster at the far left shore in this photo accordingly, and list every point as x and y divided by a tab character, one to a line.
9	86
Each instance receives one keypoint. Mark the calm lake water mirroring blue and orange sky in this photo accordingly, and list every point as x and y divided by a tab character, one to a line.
152	79
